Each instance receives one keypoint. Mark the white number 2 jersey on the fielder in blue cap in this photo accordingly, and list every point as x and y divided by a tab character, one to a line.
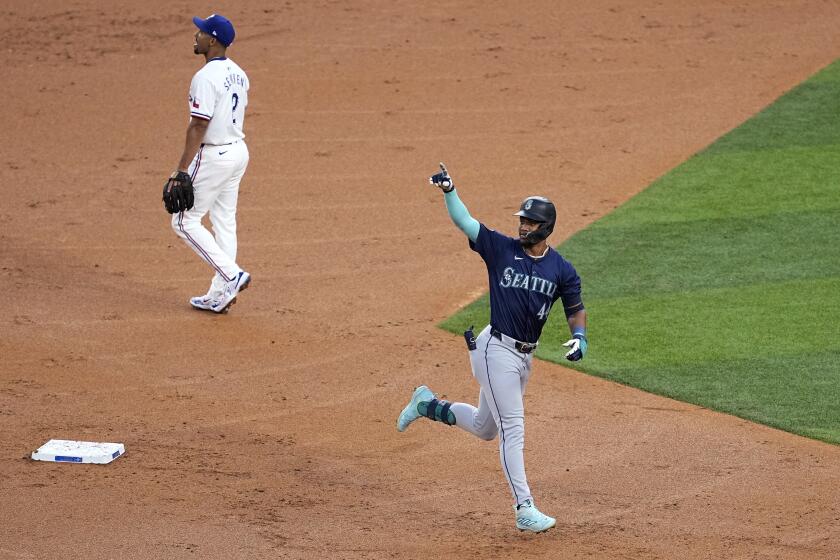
219	94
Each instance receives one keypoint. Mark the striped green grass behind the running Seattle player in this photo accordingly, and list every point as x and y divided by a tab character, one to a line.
719	284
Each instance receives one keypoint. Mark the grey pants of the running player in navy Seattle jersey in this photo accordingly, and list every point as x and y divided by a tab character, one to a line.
502	373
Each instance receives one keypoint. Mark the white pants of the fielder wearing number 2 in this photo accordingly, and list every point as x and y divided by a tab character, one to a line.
216	172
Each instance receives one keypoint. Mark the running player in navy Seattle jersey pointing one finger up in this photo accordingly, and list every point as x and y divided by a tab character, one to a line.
527	277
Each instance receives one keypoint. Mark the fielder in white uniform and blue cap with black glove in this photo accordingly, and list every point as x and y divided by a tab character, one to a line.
213	162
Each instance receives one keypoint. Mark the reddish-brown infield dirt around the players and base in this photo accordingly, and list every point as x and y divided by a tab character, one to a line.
270	432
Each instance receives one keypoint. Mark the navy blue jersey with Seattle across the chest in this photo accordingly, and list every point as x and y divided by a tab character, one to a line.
523	289
